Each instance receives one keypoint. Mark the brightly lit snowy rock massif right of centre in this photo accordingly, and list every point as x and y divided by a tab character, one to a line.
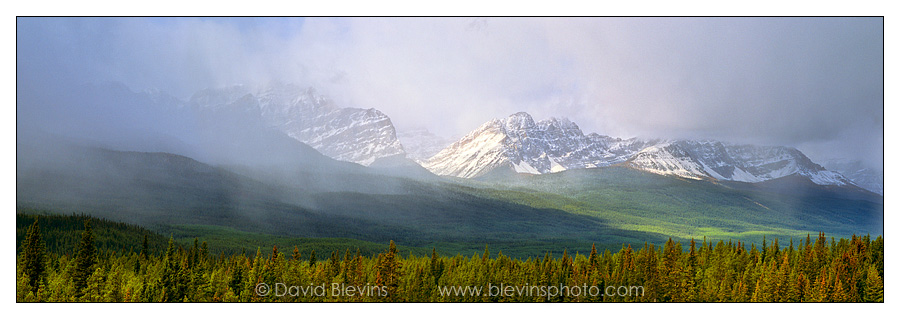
554	145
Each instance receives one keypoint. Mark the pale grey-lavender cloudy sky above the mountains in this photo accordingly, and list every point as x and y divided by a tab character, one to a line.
811	83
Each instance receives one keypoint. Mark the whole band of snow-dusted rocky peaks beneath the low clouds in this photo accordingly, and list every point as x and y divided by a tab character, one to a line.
517	142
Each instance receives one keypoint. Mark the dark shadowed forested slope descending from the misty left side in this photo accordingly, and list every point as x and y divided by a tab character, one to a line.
160	190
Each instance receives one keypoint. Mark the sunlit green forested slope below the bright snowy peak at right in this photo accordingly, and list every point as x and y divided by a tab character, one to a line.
627	199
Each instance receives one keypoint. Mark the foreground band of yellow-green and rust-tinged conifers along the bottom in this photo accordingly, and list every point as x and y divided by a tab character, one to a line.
813	270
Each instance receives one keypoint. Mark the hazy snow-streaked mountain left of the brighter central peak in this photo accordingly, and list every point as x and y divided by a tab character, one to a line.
347	134
